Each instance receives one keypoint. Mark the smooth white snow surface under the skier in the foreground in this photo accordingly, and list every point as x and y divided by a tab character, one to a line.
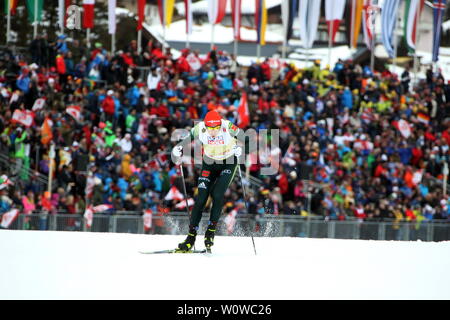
83	265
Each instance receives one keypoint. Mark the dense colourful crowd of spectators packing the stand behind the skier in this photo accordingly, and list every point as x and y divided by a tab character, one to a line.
341	148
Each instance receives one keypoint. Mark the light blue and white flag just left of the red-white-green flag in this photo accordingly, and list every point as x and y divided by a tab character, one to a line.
388	25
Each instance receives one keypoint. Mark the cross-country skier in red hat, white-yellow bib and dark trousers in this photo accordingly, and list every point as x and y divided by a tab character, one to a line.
219	140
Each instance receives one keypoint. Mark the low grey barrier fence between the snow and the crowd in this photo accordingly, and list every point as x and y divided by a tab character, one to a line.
258	226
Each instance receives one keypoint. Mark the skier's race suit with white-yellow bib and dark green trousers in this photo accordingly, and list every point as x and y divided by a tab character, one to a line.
219	167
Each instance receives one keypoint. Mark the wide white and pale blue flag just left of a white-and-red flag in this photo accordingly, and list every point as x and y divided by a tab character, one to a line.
309	14
